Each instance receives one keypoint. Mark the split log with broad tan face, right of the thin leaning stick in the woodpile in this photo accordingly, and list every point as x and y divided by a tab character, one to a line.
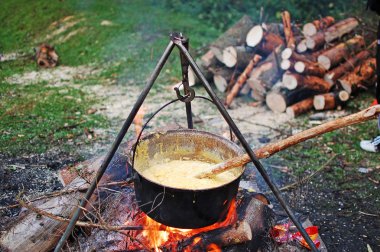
264	76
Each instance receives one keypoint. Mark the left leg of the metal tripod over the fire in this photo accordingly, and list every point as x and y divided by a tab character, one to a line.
115	146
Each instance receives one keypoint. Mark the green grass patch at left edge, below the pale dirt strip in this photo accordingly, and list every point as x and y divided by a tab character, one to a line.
37	117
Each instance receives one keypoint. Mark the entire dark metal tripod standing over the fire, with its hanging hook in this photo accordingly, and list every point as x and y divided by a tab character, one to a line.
182	43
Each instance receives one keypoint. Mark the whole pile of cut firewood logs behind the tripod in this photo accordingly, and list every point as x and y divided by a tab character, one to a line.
292	68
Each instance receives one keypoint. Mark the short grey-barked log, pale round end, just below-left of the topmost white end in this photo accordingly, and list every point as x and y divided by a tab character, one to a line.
237	56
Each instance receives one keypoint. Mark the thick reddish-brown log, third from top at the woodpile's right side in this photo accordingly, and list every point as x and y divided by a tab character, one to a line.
342	51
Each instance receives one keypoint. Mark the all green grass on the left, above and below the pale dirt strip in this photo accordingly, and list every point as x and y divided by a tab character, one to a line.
33	117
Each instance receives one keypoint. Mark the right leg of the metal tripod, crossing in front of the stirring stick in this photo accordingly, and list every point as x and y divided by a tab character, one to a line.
246	146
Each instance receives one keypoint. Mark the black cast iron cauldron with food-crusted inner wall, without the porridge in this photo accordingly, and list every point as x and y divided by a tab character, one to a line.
184	208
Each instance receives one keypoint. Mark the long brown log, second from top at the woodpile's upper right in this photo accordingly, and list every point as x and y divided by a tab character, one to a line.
333	32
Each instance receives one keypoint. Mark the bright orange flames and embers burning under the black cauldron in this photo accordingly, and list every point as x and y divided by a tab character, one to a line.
157	235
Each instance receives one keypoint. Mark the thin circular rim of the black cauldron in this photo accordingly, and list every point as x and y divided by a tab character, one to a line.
234	146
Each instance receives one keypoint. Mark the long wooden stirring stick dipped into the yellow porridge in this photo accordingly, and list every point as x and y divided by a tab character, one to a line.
270	149
